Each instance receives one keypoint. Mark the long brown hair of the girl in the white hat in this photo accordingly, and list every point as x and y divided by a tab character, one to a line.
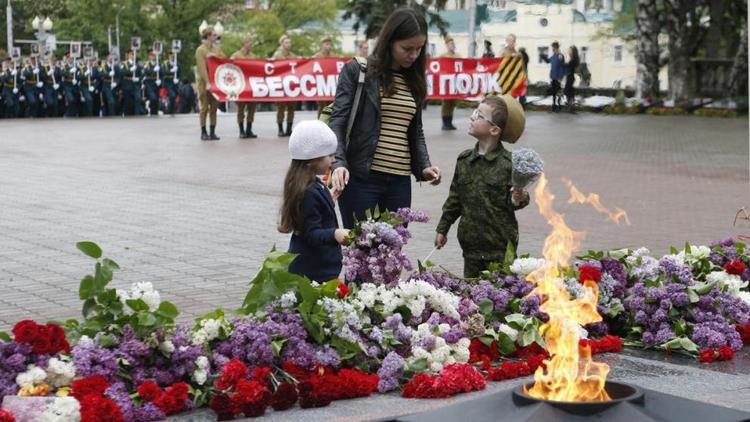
298	178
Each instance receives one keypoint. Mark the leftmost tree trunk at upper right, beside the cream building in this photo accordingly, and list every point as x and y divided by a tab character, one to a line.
647	51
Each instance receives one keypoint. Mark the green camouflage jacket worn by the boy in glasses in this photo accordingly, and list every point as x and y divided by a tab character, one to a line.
480	195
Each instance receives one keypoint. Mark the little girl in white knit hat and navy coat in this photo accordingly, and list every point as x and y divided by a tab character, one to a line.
307	210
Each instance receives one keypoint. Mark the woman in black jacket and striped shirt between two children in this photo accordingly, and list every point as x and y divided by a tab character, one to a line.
386	144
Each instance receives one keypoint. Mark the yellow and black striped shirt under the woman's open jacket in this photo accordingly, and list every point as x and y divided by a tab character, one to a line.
392	153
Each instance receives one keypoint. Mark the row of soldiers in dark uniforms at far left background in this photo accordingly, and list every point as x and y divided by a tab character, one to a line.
37	86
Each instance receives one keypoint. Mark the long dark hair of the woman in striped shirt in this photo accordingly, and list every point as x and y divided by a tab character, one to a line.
402	24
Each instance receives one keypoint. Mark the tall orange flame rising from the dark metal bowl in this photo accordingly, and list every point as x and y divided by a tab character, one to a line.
571	374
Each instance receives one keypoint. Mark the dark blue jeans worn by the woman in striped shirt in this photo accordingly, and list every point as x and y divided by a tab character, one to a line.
386	191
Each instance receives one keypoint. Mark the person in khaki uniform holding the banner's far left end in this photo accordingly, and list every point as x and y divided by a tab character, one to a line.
209	105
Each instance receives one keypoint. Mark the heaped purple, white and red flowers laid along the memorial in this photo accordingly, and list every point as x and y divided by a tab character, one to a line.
298	341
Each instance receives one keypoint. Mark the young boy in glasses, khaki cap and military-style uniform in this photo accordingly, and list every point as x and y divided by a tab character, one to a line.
480	192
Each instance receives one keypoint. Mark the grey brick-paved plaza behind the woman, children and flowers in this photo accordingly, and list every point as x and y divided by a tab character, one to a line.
197	218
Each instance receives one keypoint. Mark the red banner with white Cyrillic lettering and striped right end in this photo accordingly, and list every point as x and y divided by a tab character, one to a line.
315	79
